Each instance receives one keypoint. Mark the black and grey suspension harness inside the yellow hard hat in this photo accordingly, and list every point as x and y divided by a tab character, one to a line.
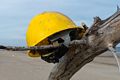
63	39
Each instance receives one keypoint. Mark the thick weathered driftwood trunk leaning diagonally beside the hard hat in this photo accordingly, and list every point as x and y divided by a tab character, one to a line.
101	35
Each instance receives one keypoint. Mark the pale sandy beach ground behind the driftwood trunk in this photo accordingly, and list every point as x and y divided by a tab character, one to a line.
18	66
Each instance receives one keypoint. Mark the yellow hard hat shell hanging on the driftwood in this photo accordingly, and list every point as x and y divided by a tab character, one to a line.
46	24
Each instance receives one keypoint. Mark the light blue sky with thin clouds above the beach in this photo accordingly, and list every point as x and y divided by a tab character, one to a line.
15	15
